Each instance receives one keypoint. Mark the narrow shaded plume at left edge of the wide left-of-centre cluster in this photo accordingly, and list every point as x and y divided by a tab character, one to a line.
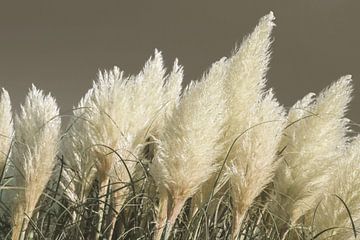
79	170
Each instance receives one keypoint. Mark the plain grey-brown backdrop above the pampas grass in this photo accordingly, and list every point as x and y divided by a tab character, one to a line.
60	45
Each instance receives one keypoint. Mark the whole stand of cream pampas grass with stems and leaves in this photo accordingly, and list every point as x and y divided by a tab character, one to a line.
143	158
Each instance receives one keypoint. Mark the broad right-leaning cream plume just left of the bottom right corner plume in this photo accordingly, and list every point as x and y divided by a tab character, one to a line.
313	139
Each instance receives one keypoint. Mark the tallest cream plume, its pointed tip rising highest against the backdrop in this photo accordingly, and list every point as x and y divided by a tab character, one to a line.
248	66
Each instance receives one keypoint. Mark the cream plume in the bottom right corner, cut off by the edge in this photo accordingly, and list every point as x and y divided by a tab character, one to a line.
344	186
